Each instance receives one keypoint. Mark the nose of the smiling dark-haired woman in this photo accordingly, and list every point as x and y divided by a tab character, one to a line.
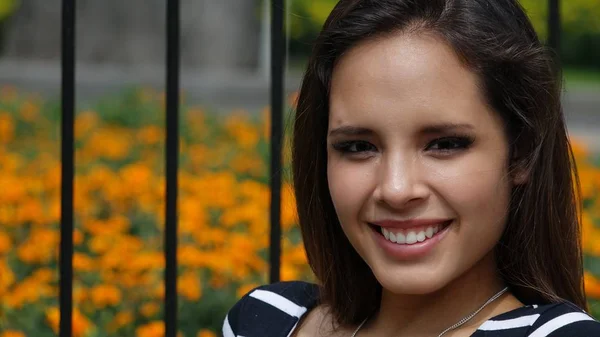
401	182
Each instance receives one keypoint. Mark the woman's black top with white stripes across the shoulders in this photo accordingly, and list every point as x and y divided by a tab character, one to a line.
275	310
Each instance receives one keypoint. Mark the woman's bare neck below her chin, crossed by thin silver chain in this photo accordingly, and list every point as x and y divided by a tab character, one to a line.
430	314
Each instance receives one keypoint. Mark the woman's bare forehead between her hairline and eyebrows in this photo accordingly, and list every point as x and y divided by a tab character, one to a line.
401	78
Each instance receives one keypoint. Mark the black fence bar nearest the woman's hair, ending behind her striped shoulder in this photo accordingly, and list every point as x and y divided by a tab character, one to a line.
277	67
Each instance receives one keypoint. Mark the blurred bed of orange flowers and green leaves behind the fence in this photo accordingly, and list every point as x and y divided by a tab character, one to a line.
119	210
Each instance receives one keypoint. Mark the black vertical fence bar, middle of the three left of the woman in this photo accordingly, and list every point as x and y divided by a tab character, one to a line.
172	164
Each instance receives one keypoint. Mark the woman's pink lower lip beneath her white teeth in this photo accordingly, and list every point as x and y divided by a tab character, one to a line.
409	252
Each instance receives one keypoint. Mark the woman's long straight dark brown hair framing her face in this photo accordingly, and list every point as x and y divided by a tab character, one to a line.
539	254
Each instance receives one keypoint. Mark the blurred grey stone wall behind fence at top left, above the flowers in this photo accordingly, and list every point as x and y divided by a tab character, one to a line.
215	34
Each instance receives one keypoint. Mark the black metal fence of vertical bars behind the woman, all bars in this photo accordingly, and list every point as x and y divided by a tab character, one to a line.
172	151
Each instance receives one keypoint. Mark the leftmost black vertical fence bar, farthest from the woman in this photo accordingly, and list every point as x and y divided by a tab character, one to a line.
67	167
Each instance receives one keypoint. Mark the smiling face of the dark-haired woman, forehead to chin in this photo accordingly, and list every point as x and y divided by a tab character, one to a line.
415	156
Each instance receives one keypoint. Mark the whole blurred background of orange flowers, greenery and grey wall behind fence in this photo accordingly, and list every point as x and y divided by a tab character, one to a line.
224	191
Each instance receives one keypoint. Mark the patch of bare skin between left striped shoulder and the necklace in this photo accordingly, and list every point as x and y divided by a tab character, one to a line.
318	323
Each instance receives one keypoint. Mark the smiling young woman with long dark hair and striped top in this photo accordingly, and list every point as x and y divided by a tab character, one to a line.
433	178
